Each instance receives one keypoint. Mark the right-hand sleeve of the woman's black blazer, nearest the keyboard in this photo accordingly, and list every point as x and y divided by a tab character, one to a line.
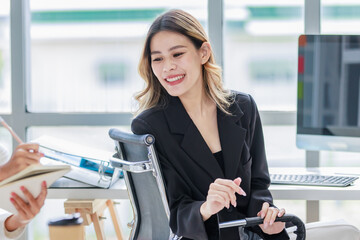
260	179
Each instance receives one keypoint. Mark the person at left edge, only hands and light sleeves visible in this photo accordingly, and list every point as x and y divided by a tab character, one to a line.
13	225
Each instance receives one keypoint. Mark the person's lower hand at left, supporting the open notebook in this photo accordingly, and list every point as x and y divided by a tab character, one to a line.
26	210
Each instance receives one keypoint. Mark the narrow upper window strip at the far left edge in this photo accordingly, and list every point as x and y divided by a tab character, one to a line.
5	76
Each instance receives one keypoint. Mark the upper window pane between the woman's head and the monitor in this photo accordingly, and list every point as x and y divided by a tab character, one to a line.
260	50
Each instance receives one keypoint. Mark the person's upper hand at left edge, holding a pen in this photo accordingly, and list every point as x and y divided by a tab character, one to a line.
24	155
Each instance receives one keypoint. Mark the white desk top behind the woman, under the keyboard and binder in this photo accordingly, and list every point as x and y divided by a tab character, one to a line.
280	192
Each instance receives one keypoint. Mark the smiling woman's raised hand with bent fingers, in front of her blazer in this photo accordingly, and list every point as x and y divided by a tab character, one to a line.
221	194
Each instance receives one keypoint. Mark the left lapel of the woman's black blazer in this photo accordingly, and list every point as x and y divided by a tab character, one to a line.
192	143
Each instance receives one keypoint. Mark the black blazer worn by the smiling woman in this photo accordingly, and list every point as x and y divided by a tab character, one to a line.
189	167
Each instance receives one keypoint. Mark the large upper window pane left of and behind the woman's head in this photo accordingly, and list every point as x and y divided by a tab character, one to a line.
84	54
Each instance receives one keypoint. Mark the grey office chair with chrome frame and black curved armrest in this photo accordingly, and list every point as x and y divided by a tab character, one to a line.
136	156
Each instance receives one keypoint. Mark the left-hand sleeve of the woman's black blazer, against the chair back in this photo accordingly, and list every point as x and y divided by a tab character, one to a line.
185	217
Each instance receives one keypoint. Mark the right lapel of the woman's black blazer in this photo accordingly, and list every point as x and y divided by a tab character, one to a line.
232	138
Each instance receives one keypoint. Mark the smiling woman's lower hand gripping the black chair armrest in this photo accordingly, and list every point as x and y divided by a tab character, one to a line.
269	215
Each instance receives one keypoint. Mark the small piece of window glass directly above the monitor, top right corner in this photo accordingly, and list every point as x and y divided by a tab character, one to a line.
340	17
